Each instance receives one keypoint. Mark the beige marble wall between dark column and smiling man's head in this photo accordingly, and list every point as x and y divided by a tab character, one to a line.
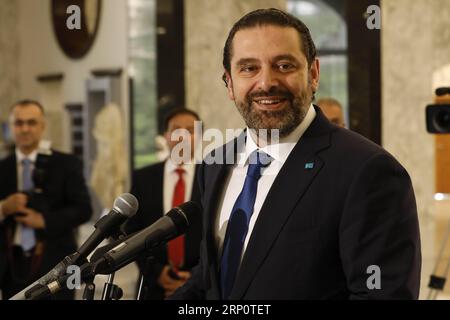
207	23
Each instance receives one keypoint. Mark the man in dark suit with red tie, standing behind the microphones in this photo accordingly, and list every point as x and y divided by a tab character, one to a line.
159	188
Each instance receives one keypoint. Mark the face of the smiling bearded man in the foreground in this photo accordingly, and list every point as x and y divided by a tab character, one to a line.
270	81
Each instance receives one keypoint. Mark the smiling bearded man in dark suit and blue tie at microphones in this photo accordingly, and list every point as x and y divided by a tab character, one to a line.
321	212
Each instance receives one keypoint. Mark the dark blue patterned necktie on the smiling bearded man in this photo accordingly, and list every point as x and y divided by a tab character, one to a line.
238	224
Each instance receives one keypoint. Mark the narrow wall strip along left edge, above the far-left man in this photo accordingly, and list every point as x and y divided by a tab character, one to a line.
9	56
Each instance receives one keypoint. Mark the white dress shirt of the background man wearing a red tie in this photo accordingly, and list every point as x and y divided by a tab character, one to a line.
171	178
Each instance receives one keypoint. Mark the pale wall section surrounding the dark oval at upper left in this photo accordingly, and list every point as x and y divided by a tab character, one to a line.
41	54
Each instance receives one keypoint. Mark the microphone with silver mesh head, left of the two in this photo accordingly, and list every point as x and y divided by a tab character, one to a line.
124	207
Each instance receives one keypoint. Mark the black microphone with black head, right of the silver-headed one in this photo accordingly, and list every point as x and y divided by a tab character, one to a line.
166	228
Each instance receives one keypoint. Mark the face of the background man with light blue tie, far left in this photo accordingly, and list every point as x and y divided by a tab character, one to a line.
27	124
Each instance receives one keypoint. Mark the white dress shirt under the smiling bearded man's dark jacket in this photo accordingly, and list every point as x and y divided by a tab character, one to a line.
235	181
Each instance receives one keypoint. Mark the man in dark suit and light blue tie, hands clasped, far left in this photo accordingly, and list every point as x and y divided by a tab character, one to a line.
43	199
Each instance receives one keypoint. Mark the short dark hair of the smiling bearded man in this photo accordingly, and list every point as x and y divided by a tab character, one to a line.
270	16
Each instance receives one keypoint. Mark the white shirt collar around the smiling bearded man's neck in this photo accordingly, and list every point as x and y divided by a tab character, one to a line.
281	150
